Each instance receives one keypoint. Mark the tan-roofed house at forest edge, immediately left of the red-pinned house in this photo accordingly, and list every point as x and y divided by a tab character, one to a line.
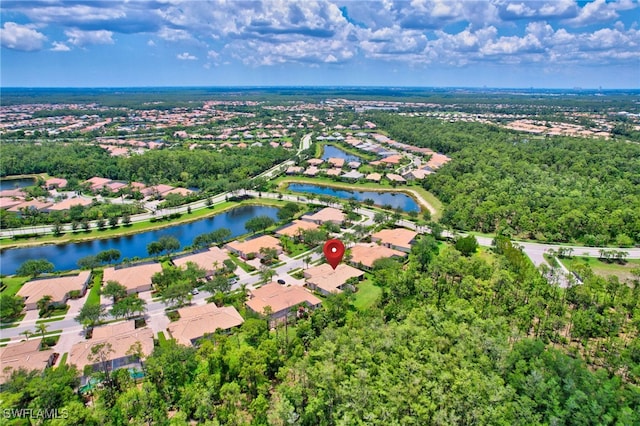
280	300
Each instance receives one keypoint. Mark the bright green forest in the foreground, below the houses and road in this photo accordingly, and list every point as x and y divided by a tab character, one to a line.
453	339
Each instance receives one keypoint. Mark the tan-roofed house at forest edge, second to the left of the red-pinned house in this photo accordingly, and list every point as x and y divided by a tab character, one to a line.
197	321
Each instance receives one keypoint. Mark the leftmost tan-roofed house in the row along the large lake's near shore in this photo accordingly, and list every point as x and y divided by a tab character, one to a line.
59	288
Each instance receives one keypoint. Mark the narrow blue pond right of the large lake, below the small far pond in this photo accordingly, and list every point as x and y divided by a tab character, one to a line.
393	199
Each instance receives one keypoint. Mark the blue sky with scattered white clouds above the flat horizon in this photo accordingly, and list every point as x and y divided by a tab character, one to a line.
425	43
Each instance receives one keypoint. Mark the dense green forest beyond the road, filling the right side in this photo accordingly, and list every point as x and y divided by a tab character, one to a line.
557	189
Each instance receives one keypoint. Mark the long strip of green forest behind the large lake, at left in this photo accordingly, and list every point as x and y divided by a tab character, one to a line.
201	168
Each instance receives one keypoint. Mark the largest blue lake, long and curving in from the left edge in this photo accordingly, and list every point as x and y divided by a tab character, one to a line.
65	256
